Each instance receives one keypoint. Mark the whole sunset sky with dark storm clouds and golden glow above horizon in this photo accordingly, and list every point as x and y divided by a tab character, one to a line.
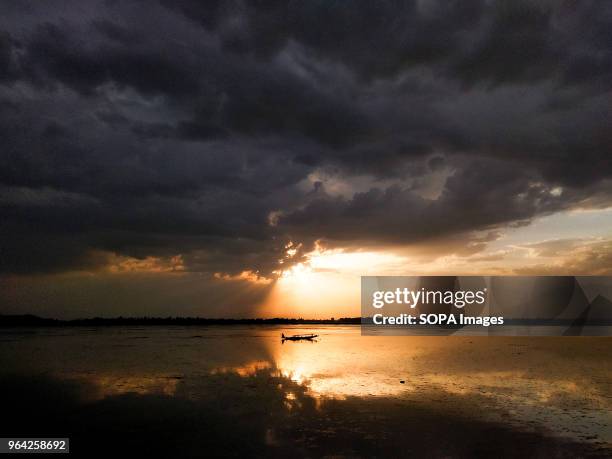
247	158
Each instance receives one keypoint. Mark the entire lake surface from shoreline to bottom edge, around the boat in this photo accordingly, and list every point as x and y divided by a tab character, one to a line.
238	391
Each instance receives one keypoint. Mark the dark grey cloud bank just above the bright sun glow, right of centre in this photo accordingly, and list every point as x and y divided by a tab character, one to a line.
399	215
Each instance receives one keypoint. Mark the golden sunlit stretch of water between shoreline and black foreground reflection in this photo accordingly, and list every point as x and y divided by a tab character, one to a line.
561	384
